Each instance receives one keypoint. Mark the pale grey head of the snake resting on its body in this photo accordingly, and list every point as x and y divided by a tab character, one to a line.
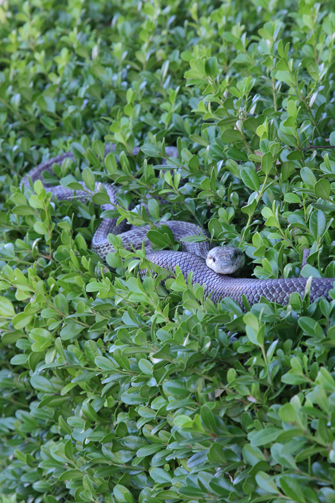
225	259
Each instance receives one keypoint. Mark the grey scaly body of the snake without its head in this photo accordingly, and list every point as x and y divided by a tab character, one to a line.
192	258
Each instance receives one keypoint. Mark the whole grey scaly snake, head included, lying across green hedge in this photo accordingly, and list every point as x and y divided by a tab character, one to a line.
211	267
